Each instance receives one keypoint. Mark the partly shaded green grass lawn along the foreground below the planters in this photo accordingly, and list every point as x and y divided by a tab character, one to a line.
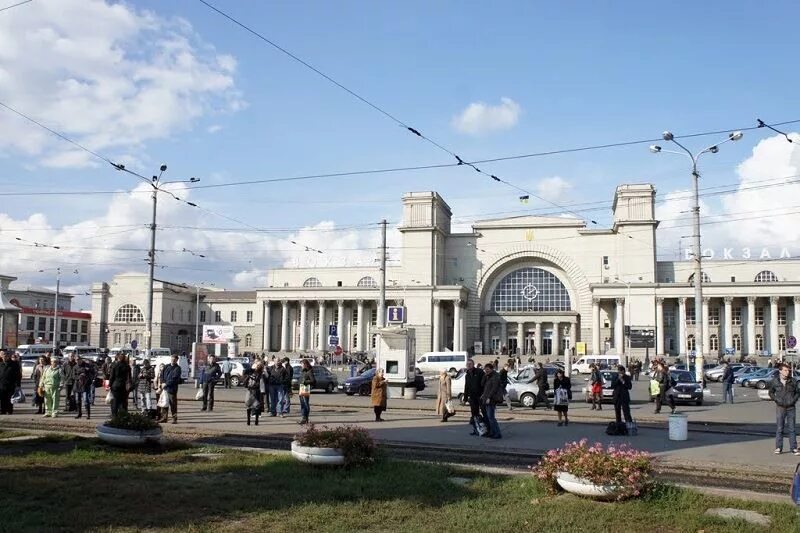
91	487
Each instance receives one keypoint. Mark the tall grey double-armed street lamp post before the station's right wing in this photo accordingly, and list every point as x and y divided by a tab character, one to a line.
697	252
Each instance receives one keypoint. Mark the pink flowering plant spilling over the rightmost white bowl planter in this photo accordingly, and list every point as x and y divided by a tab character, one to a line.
621	466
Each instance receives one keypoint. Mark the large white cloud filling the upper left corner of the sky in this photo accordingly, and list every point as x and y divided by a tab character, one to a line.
106	74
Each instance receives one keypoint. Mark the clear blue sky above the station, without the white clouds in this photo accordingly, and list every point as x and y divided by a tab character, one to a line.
580	74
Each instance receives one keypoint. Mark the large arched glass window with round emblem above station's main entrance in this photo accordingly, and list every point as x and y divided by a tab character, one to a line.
530	289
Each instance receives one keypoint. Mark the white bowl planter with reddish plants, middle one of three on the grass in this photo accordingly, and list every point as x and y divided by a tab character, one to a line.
354	444
